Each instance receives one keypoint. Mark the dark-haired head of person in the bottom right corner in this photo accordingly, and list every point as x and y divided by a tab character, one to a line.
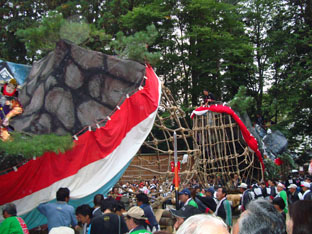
300	218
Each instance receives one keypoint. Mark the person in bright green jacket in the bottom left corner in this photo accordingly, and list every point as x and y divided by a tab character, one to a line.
12	223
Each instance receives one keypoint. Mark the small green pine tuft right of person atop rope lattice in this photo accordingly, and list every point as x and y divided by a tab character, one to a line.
241	103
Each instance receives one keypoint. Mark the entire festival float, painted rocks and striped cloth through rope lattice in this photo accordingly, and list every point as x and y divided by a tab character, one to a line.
113	108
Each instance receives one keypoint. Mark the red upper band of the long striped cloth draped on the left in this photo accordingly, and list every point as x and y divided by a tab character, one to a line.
91	146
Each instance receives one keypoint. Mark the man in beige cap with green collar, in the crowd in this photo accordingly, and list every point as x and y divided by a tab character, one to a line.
135	221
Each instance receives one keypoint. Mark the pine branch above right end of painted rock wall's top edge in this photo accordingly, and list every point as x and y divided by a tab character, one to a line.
135	47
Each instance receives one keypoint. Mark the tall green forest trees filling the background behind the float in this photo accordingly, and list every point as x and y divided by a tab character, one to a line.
222	45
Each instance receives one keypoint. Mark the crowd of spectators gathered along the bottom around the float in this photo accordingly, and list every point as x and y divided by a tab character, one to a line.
200	209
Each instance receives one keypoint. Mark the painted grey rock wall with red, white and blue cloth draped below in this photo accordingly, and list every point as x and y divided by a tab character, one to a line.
106	104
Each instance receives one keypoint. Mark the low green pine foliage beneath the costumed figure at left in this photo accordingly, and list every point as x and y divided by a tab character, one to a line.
35	145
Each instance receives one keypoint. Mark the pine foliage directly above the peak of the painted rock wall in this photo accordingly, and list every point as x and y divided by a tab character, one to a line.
41	38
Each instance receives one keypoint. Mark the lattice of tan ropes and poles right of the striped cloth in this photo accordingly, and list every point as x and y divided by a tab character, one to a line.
214	145
